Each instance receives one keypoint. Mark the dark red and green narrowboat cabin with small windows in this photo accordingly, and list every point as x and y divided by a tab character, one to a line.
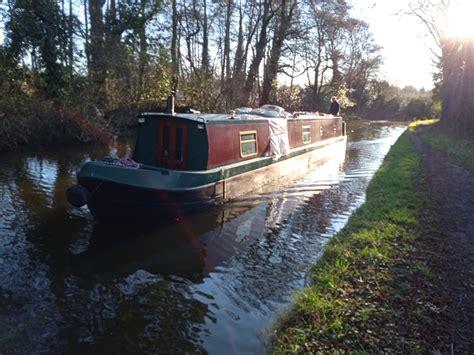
198	142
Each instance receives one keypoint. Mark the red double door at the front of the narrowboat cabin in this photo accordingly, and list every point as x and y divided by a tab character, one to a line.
172	146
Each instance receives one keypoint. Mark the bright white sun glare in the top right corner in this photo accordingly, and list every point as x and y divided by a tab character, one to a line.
460	22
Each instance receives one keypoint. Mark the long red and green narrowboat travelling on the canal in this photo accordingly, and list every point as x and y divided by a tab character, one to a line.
186	162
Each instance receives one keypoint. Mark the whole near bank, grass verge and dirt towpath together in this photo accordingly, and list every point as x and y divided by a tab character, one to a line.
399	275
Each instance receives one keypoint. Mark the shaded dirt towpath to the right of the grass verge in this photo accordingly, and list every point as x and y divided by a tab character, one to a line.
452	188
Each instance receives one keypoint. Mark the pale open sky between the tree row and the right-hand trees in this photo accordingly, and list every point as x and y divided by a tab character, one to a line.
406	45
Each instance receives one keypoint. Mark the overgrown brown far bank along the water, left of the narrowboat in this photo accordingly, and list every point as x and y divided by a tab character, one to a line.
27	122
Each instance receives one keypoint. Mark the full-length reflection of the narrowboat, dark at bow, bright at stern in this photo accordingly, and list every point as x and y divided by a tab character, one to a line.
194	245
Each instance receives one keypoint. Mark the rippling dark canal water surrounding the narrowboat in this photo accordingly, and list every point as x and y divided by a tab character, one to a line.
211	282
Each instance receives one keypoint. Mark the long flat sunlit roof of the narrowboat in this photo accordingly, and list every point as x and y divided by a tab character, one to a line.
226	117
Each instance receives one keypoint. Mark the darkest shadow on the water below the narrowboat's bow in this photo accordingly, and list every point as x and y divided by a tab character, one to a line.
164	247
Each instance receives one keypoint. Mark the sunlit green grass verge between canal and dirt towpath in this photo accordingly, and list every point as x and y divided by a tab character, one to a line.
372	289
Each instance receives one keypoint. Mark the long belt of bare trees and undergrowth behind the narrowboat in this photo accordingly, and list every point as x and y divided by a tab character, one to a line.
97	56
